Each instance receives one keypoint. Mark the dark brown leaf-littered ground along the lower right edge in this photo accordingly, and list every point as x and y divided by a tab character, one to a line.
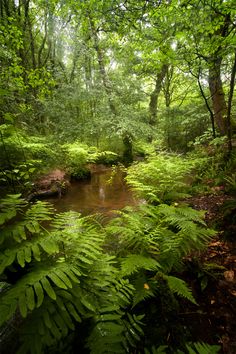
216	319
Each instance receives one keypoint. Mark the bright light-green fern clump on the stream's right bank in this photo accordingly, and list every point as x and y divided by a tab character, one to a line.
161	178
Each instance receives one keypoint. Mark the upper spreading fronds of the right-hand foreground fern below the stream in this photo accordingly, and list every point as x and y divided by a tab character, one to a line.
164	232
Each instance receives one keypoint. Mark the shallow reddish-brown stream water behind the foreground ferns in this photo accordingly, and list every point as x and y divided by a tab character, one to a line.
96	195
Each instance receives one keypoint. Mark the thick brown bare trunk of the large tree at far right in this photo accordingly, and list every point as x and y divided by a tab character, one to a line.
217	95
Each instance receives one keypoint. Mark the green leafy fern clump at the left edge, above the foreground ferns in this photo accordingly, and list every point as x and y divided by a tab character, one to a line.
23	156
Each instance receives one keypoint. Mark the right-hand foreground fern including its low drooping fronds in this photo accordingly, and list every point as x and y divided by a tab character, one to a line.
155	239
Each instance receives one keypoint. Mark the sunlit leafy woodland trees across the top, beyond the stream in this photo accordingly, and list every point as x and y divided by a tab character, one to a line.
110	71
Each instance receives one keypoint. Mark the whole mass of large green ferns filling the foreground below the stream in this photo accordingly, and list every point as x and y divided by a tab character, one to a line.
57	280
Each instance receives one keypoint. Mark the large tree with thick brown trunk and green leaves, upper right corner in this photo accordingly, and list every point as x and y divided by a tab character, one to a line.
208	43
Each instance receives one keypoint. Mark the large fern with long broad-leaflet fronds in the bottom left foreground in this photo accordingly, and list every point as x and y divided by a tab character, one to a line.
56	277
